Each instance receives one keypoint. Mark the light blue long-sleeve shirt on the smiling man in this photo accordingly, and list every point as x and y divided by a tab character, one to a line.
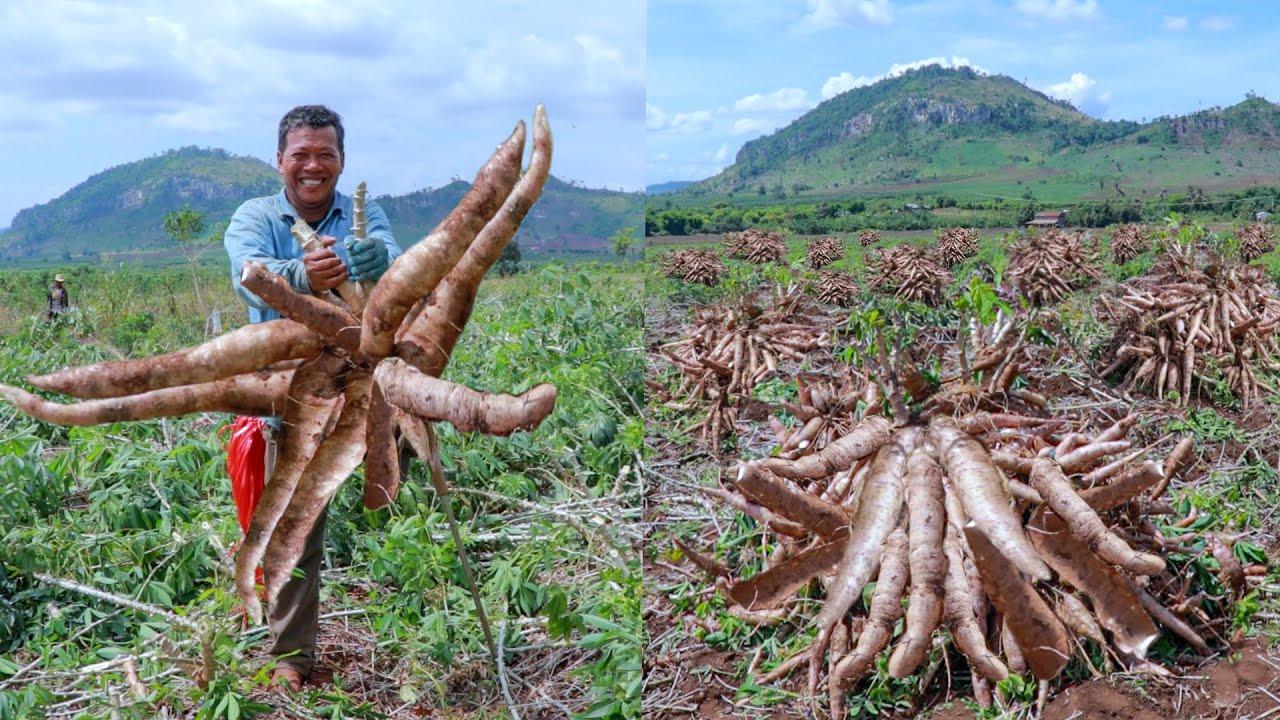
260	231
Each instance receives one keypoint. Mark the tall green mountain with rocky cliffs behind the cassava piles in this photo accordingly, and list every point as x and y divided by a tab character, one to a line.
938	131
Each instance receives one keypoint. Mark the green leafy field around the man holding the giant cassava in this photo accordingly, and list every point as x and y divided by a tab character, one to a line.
117	540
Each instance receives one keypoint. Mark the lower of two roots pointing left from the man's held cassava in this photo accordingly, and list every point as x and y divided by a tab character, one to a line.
252	394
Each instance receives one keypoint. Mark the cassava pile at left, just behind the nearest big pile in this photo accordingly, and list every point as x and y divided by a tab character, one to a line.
730	349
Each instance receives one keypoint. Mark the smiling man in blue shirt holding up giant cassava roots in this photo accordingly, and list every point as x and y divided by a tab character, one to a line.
309	158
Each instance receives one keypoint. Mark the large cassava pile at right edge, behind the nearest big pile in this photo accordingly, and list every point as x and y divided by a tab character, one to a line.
1180	329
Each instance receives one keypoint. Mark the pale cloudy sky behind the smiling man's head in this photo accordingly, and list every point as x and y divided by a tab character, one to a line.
427	90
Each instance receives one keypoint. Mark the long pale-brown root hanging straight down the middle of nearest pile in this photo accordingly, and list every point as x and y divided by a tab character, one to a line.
927	528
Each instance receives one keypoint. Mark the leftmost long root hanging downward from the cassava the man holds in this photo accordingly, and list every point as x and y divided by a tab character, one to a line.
314	399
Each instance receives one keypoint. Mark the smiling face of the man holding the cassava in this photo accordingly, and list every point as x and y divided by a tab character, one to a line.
310	166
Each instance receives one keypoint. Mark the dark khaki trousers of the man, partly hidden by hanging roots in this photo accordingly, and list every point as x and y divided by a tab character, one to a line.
295	619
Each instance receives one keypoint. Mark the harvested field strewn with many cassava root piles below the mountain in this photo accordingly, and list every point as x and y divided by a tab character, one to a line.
963	475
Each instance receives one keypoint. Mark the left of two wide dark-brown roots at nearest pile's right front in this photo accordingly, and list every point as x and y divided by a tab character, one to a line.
1040	635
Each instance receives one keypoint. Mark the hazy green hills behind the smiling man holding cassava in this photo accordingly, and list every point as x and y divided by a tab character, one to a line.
122	209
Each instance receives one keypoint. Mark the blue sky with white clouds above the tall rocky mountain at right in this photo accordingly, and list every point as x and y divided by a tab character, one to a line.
724	72
